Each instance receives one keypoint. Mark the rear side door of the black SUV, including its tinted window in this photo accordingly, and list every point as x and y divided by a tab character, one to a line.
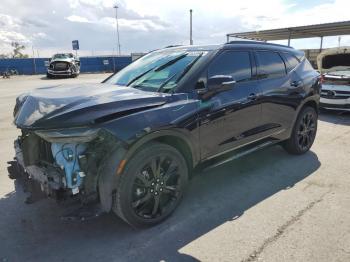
280	86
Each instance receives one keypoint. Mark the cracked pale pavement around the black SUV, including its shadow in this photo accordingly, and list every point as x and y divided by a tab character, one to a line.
267	206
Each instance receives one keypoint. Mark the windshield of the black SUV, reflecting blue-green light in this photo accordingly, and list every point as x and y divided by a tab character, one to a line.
157	71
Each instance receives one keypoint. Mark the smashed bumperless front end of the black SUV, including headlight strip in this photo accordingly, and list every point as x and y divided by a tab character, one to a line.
63	165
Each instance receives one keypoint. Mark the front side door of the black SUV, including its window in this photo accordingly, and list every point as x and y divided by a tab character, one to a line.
229	117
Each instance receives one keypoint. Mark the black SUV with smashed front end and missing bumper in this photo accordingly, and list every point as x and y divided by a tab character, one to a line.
128	145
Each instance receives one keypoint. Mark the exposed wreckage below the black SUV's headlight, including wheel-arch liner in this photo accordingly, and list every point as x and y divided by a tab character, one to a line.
72	172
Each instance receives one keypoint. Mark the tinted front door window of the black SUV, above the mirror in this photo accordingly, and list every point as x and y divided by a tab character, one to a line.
233	63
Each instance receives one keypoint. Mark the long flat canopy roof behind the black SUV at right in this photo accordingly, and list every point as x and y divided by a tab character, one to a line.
319	30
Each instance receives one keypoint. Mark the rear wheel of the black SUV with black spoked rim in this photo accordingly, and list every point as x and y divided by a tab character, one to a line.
304	132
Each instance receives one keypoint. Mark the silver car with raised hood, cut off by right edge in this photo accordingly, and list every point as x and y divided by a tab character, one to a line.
334	65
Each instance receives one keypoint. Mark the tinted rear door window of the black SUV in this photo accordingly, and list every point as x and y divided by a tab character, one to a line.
270	64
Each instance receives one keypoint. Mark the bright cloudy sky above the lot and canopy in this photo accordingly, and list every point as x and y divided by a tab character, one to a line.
48	26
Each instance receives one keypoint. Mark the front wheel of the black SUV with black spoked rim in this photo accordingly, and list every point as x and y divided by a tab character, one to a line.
151	185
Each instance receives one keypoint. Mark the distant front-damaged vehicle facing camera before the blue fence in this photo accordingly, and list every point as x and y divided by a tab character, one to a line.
63	65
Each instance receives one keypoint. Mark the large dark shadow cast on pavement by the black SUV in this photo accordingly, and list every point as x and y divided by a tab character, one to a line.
35	232
